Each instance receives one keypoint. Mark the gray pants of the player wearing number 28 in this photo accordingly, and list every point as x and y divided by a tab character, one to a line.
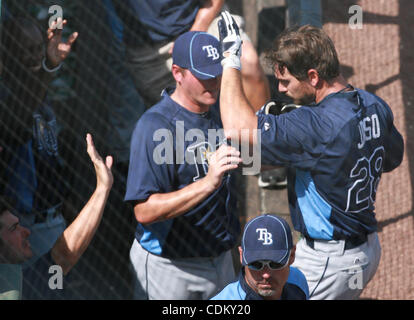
334	273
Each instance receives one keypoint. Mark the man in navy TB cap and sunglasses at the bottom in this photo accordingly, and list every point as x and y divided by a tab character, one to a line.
266	254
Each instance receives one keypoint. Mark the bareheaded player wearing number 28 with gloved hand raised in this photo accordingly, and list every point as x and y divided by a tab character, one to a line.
336	145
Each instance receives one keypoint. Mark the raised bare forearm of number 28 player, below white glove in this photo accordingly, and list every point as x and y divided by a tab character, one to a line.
236	112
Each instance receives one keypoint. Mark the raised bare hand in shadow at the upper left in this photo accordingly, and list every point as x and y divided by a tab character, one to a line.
57	51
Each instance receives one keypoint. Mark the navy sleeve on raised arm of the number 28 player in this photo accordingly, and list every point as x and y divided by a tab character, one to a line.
296	139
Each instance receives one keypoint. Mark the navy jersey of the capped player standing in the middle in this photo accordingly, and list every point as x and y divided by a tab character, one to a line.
169	149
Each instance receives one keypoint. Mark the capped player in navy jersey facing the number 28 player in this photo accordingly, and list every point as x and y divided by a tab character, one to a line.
181	188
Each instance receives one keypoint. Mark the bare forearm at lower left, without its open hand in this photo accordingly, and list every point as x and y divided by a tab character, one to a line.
75	239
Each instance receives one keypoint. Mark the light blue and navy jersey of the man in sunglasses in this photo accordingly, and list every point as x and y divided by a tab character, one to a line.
295	288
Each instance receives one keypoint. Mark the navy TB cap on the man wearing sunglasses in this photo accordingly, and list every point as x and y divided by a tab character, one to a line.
266	237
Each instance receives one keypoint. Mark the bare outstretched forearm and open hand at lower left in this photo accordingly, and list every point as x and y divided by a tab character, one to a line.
76	238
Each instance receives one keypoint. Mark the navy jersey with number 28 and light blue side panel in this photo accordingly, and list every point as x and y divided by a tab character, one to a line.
336	151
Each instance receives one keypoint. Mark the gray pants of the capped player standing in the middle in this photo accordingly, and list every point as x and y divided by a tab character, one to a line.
159	278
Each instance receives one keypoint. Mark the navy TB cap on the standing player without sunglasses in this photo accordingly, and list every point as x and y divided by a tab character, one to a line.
200	53
